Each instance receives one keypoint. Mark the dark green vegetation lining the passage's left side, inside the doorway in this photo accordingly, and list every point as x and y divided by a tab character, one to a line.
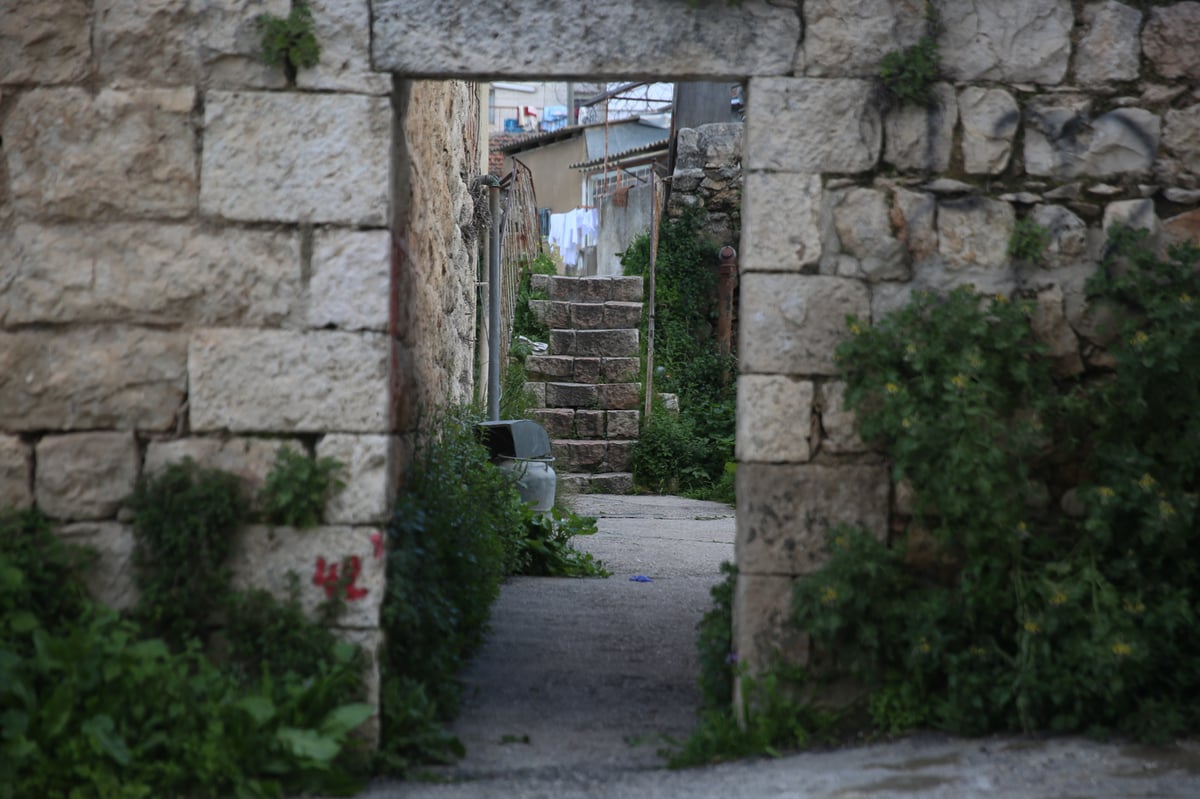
459	528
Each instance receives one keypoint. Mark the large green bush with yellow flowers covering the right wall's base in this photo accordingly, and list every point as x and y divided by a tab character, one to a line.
1047	579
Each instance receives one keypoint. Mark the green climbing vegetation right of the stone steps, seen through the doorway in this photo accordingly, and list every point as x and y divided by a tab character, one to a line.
691	453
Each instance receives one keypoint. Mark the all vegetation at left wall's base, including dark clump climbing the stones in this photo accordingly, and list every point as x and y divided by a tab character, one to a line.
95	705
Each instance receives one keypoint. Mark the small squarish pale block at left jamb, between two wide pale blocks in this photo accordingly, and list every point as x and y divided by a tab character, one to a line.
351	275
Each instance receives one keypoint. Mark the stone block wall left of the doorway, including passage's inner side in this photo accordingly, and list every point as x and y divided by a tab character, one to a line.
196	261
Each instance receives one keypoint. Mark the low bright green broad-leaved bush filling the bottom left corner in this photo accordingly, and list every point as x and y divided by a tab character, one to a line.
93	708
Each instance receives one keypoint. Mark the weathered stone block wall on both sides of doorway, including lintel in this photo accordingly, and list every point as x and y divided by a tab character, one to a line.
164	197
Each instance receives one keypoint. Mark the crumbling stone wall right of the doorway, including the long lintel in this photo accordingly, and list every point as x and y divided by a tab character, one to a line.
1077	115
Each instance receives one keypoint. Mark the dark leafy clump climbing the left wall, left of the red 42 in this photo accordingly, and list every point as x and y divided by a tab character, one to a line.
184	522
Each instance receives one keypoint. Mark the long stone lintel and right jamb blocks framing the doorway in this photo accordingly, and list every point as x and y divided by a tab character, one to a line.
790	319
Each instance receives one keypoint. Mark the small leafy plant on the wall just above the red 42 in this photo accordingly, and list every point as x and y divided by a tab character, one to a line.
296	491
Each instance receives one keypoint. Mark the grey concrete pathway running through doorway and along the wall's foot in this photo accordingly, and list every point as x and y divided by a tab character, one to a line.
580	680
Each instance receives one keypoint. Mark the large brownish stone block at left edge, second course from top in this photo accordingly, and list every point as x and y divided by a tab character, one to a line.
79	155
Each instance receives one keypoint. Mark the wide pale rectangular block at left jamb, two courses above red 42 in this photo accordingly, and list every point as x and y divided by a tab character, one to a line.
273	381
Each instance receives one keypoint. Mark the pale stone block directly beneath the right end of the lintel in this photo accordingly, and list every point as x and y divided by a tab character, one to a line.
812	125
